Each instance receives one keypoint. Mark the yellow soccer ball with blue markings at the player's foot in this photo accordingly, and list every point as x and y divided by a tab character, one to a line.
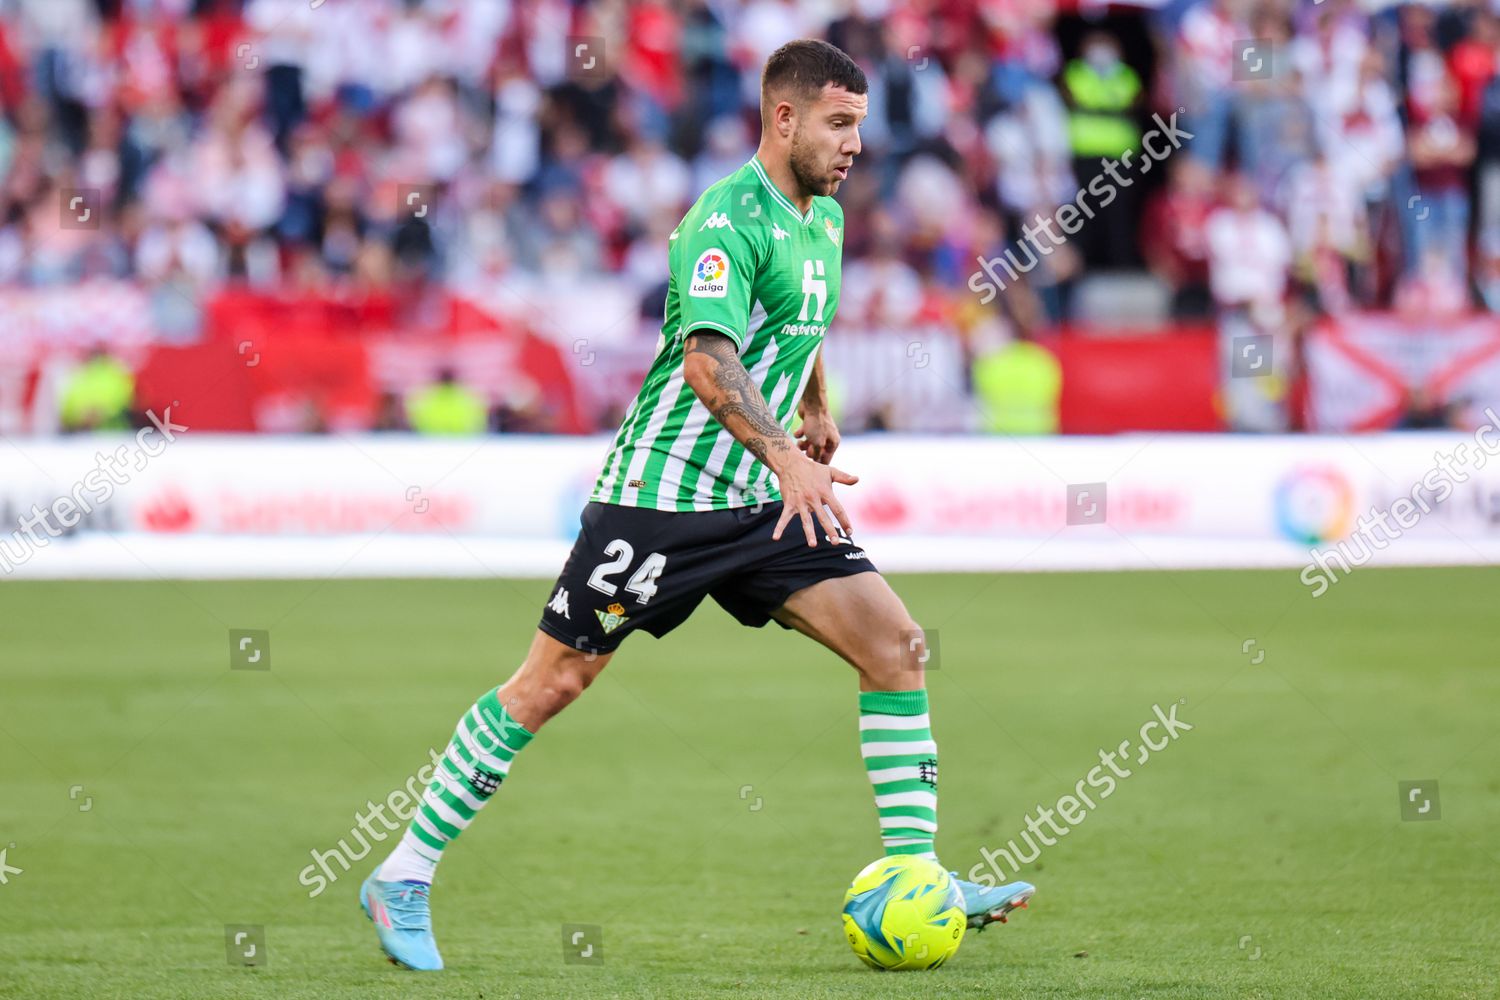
904	912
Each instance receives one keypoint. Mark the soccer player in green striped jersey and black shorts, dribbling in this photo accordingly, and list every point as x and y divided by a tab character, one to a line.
706	493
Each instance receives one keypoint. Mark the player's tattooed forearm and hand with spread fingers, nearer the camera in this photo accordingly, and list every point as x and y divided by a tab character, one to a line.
713	370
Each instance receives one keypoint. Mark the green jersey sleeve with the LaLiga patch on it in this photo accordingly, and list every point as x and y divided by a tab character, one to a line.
715	275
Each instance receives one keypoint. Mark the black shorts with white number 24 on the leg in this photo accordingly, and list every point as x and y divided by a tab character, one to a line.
634	567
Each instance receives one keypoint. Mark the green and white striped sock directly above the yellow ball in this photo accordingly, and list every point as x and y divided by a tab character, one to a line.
896	741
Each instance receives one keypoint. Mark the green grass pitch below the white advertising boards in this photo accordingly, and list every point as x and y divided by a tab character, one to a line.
1262	855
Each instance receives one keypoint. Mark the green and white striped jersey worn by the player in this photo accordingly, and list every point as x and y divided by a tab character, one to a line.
749	266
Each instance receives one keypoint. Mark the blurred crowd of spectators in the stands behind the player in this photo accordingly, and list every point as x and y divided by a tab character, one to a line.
527	151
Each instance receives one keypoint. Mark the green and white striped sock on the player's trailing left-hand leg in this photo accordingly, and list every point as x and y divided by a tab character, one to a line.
467	776
